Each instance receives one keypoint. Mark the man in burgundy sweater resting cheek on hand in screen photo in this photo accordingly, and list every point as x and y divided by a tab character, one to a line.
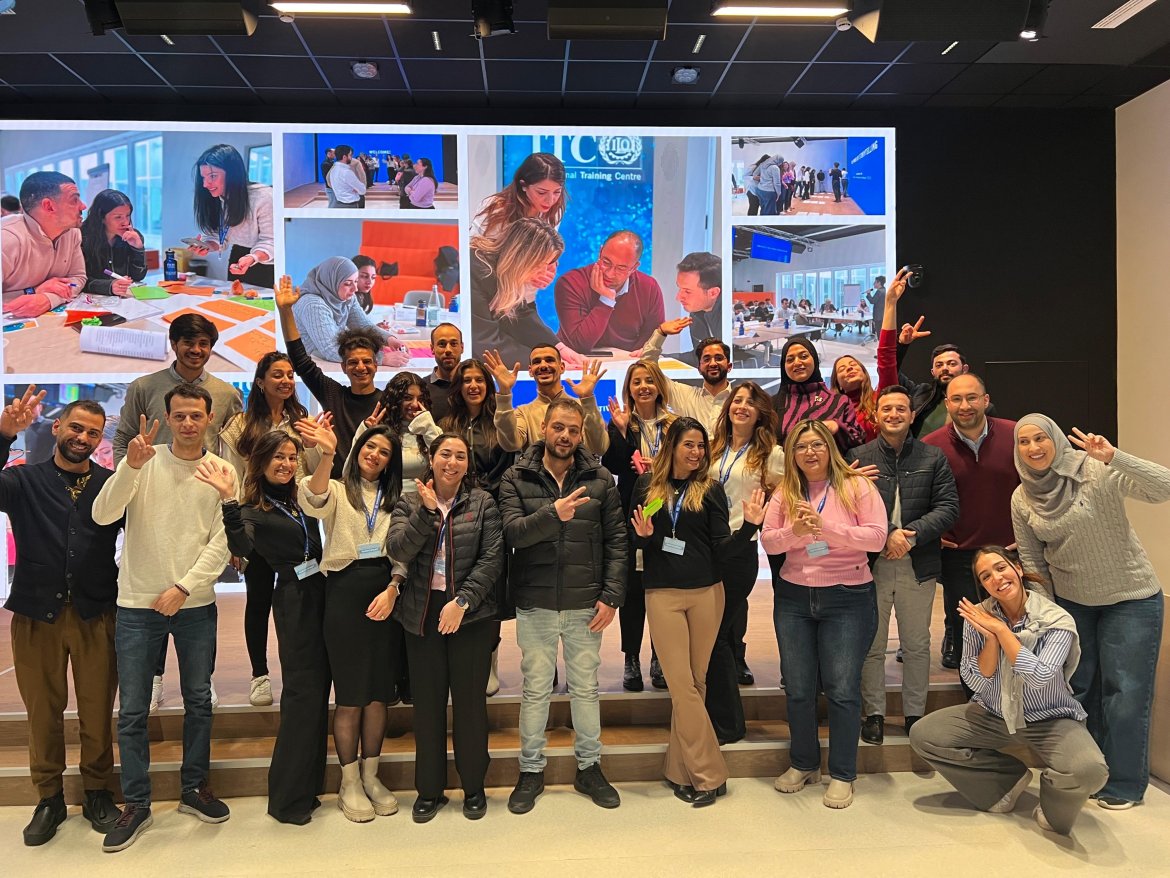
610	304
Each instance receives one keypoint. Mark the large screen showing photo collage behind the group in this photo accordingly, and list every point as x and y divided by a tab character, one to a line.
755	236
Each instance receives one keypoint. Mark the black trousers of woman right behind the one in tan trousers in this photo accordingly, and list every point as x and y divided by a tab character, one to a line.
724	703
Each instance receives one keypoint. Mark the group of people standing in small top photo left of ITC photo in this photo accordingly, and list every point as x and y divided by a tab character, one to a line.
348	179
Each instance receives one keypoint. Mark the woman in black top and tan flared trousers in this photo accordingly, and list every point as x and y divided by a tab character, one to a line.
685	538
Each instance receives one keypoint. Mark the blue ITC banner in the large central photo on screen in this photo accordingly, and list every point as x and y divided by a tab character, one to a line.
610	184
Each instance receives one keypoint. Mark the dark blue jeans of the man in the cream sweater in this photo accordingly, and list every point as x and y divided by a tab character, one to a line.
139	640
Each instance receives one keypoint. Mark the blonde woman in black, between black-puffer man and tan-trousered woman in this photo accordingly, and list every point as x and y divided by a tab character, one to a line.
637	427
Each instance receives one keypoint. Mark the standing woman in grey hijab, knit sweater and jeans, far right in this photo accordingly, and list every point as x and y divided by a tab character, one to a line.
1071	525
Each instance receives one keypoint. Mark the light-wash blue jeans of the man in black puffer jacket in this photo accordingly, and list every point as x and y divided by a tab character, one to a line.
538	633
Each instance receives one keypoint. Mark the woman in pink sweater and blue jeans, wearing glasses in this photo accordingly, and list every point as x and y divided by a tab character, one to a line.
827	518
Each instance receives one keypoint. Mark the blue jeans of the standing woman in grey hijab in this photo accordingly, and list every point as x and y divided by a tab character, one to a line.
1116	684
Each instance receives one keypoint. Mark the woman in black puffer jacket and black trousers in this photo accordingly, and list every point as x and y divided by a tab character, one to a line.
451	539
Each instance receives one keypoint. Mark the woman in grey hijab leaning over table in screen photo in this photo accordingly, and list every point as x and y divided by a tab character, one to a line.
329	305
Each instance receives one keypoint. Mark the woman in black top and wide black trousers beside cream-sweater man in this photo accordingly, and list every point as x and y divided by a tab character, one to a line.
270	525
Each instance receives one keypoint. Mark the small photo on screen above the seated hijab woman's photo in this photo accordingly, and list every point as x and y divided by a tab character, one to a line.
375	172
